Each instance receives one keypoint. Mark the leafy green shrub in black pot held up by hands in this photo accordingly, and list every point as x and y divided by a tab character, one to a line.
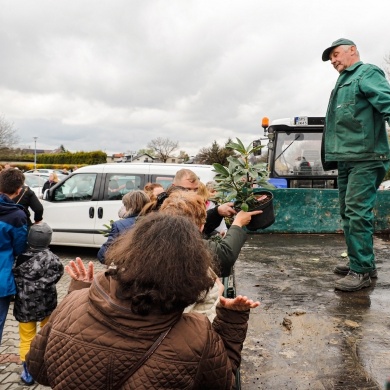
238	182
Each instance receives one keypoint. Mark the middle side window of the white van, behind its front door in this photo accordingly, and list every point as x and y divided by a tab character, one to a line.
118	185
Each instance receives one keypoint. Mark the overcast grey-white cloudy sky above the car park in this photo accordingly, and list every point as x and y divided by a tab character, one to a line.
113	75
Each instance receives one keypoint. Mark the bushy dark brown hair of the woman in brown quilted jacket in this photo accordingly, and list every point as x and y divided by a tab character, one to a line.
162	264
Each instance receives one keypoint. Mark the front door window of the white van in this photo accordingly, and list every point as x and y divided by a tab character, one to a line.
78	187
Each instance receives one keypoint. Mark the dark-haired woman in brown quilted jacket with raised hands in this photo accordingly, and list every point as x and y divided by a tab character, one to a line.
97	335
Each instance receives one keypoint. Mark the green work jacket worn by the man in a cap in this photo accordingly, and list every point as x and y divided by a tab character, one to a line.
355	120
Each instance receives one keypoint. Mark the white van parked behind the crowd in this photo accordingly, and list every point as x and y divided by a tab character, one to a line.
78	207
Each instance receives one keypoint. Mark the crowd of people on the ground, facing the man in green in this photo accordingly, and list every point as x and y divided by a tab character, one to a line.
158	309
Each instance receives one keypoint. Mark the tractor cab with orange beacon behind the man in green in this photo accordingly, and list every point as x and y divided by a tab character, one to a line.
294	153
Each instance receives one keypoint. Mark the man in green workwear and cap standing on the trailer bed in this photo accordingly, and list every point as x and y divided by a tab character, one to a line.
356	140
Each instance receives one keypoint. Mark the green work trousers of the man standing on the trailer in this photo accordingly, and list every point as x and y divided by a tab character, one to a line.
358	182
